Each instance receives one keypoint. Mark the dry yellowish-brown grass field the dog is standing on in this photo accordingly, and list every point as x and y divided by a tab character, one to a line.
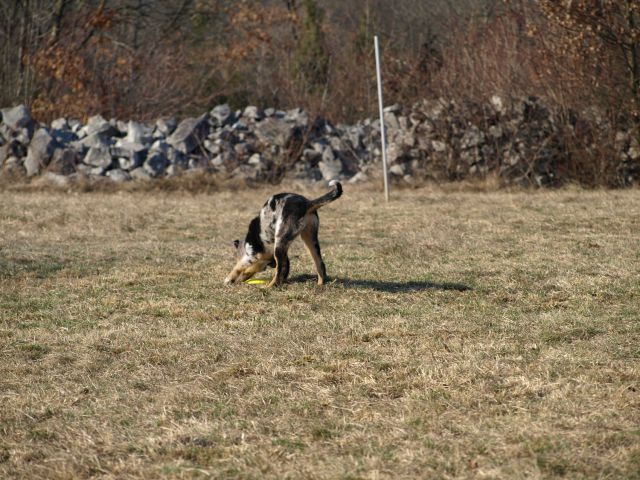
464	335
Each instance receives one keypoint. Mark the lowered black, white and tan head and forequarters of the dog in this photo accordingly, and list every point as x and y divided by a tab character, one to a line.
250	256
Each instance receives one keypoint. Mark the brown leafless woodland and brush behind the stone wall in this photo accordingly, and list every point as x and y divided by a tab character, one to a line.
143	59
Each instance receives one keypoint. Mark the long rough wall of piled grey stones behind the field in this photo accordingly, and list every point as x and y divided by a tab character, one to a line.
522	141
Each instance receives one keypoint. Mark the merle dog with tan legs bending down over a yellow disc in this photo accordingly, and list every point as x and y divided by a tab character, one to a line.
282	218
